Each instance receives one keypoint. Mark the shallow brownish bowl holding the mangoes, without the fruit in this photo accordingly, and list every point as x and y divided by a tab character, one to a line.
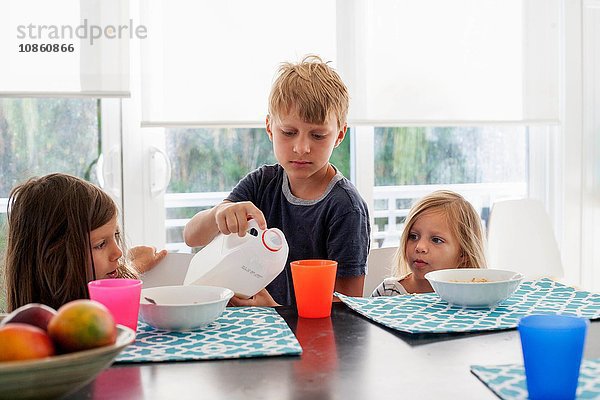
57	376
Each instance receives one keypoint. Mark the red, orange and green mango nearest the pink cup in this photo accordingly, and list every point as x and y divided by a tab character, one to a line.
82	324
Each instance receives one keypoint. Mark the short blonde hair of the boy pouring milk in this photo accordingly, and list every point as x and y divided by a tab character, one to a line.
311	88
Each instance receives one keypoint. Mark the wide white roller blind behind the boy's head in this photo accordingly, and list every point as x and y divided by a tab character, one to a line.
404	61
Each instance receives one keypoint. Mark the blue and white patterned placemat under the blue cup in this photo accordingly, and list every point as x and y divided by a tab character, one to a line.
508	381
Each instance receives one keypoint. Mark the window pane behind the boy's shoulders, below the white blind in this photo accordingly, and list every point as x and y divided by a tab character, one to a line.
207	163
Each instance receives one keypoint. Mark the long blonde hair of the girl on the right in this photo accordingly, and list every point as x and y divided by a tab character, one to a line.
463	220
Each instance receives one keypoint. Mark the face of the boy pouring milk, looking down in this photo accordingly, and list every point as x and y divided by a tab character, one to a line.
303	149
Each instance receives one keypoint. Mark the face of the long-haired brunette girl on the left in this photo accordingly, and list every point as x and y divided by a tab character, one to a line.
105	249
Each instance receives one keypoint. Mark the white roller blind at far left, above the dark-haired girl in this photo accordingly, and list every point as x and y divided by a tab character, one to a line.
65	47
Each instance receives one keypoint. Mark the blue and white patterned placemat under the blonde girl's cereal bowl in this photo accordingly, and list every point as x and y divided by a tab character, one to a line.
428	313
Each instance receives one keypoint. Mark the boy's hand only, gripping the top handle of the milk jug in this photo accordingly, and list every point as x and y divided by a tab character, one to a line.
233	217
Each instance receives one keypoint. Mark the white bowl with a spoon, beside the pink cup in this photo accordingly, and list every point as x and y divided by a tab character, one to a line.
183	308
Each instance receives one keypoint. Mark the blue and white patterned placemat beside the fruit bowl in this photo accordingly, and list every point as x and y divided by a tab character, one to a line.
240	332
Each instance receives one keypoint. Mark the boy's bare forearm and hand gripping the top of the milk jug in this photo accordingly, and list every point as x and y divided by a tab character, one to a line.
226	218
